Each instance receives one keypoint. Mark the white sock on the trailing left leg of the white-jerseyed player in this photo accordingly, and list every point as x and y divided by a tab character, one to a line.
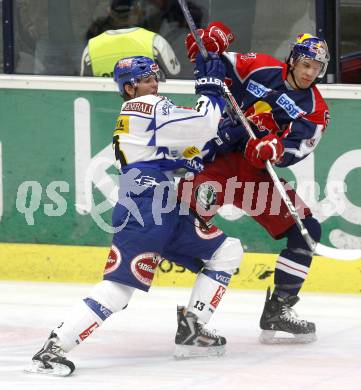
105	298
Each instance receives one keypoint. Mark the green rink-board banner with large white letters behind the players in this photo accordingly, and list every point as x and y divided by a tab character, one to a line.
56	166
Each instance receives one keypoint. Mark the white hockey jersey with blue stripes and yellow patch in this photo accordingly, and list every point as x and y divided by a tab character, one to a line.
152	128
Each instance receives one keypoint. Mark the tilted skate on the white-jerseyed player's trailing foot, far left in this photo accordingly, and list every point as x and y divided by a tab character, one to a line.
51	359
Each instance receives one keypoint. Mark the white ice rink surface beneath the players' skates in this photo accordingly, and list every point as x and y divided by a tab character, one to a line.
133	349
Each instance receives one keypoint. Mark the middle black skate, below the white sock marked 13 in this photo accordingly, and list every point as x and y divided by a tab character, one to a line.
193	340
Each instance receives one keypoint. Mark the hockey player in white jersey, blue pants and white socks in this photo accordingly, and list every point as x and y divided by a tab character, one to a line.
153	139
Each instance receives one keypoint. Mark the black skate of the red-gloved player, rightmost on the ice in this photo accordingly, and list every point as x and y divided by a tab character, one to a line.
277	316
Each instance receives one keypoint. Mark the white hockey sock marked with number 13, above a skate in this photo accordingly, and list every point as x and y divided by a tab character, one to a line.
206	295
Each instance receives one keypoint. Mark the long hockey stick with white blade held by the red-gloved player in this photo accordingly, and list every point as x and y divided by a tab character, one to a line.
335	253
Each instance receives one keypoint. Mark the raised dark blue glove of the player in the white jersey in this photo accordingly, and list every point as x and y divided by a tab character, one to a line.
209	75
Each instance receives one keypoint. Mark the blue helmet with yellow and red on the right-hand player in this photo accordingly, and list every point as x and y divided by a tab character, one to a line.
309	46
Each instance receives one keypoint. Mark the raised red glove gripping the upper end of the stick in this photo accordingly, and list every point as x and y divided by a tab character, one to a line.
216	38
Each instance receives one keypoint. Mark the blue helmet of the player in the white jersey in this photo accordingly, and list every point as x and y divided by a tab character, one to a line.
132	69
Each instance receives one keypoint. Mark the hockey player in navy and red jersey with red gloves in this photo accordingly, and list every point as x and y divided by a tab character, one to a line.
288	116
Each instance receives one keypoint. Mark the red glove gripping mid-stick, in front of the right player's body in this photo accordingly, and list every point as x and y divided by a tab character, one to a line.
258	151
